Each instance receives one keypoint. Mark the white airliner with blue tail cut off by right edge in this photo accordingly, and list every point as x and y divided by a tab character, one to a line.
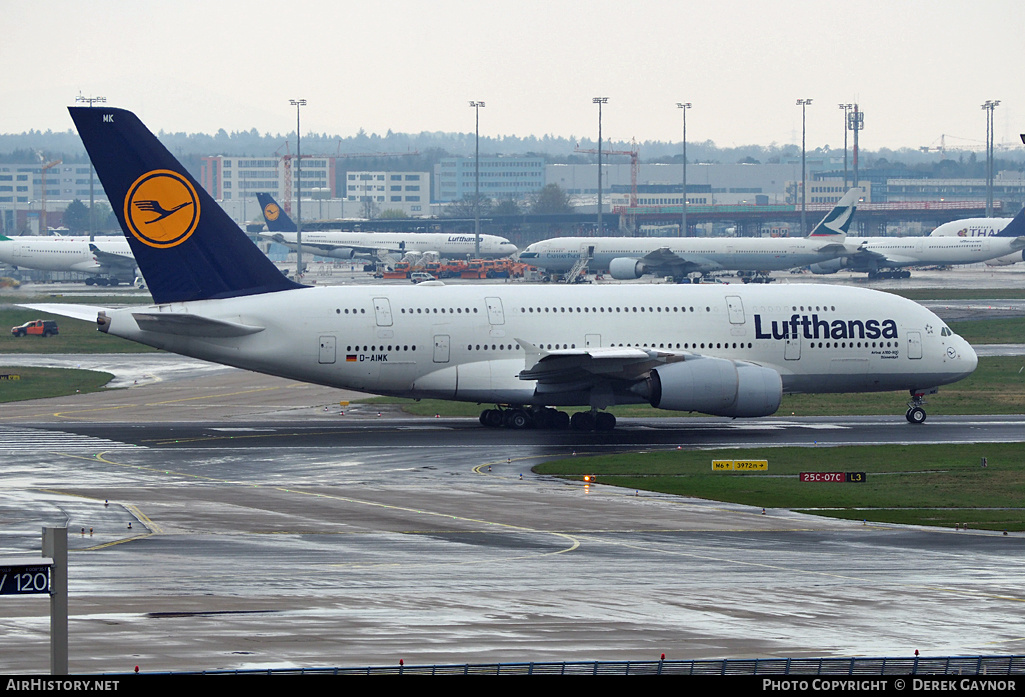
888	257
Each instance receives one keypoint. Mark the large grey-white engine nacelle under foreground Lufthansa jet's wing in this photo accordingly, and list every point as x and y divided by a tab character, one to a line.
716	386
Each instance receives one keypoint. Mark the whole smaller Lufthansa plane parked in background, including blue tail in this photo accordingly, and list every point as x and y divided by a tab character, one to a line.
343	245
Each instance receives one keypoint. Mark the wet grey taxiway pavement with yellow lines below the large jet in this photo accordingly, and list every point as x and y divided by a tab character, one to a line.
268	529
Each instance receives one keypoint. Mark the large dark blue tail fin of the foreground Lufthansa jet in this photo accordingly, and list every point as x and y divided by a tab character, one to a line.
186	245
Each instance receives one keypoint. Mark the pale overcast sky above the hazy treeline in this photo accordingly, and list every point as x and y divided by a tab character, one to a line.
919	69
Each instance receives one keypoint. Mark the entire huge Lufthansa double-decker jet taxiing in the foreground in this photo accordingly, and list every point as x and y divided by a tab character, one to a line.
527	349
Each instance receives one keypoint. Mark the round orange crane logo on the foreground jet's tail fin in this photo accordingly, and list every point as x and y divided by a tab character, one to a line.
162	209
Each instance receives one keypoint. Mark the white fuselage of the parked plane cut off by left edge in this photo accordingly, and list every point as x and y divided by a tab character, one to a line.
63	254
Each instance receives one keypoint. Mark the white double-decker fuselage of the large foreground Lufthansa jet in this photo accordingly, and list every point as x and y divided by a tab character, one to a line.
461	343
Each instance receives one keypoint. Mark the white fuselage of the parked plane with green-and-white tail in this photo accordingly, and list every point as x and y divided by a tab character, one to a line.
560	255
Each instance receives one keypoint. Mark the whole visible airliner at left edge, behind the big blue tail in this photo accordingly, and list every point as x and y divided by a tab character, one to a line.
107	260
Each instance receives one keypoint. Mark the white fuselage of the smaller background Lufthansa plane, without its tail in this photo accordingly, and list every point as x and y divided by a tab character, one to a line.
454	247
